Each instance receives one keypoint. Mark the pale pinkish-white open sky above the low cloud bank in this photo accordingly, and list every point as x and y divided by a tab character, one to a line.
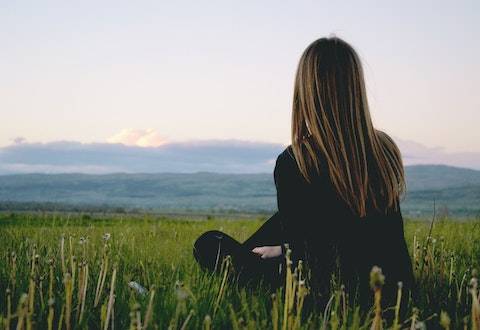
147	73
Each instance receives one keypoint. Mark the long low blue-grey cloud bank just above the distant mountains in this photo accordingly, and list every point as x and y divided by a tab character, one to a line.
222	156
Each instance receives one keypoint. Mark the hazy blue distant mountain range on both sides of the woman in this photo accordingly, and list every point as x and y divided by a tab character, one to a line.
455	190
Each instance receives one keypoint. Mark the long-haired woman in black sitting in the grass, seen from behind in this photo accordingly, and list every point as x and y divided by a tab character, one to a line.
338	188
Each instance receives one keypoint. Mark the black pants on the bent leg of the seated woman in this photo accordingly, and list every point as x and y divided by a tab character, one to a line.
212	247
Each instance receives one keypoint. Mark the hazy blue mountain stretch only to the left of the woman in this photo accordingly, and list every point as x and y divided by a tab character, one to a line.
166	191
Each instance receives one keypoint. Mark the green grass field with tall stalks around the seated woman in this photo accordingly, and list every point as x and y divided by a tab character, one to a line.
72	272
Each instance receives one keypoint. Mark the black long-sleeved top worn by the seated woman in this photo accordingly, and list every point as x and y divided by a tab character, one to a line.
321	229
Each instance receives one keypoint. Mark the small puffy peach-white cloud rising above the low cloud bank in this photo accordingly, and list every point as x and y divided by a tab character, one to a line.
138	137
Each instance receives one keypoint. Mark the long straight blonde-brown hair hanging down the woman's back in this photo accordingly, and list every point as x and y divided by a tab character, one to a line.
331	121
